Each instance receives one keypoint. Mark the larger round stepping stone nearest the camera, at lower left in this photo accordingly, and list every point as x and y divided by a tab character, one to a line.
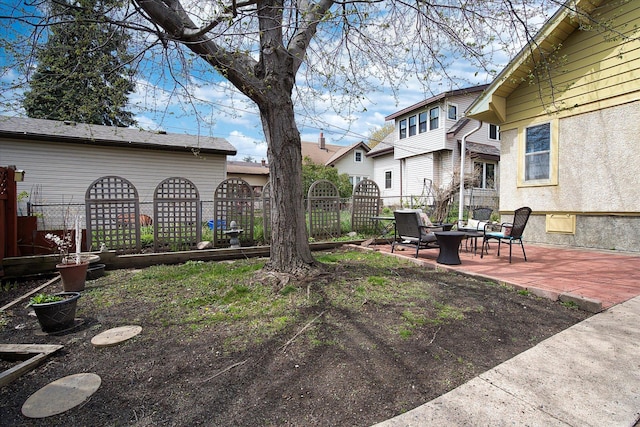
61	395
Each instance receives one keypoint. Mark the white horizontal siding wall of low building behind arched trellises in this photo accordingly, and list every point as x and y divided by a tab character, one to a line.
62	172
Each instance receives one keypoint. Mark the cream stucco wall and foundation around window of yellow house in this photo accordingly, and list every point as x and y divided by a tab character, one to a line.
597	181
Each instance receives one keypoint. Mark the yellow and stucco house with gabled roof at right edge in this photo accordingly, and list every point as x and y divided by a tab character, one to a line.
568	106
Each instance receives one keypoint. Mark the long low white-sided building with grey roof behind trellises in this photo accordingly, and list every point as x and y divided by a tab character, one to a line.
62	159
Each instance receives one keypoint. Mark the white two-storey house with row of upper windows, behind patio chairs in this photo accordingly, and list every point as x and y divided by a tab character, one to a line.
426	148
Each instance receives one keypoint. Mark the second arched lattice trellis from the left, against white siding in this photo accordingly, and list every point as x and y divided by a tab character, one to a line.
177	213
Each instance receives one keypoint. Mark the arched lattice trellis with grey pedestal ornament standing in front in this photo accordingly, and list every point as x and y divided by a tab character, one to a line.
233	200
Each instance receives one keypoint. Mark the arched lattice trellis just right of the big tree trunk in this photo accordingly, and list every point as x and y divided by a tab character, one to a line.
323	206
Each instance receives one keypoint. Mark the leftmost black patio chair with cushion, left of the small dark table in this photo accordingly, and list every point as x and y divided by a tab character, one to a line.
409	231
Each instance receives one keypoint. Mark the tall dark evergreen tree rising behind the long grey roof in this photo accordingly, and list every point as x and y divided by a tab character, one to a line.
82	72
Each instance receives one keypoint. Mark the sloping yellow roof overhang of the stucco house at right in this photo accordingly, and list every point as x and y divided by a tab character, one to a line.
491	105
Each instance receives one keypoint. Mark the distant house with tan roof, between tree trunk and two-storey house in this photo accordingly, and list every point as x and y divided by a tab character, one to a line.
351	159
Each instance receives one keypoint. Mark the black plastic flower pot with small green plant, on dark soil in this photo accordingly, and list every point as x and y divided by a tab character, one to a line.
55	312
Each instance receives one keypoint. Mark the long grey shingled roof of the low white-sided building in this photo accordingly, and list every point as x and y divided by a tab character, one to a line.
81	133
